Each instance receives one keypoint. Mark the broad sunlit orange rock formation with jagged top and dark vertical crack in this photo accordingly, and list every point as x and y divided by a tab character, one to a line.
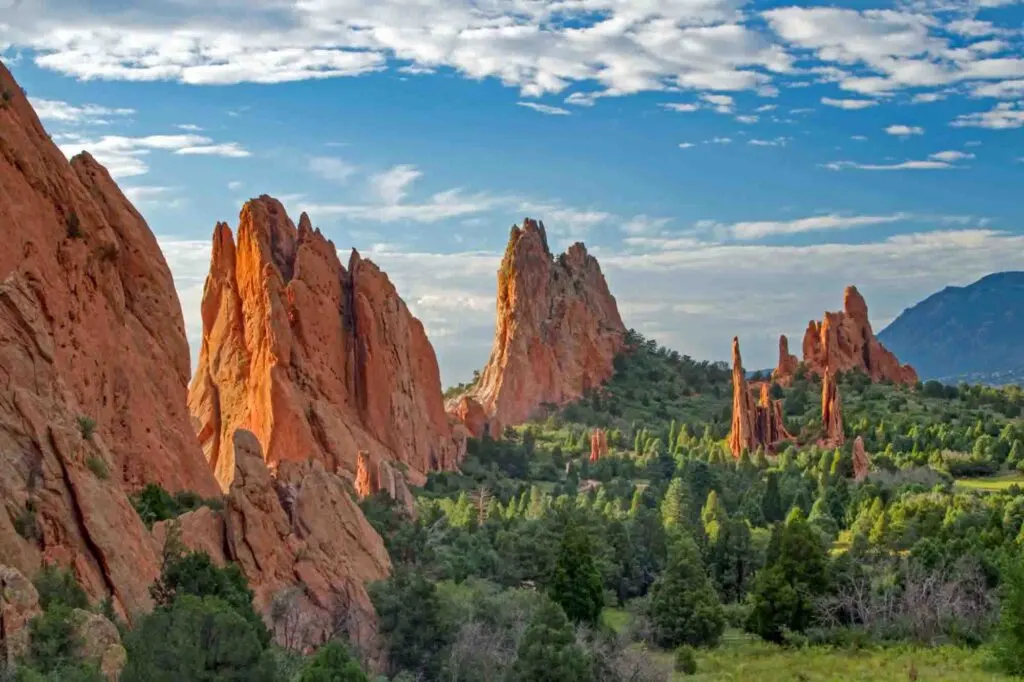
317	360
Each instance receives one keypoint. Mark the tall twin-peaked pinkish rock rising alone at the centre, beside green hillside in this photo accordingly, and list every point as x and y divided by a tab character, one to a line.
558	332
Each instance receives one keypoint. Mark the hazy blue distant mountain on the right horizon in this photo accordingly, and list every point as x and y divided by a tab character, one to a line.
973	333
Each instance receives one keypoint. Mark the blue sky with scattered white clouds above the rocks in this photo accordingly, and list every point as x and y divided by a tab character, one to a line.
733	164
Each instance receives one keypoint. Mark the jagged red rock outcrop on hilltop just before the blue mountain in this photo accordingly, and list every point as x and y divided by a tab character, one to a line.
844	342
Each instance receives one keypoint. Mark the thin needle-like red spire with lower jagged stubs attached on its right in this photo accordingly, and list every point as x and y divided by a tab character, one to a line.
756	423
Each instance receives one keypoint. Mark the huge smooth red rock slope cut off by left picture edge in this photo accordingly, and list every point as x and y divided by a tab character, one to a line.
94	367
